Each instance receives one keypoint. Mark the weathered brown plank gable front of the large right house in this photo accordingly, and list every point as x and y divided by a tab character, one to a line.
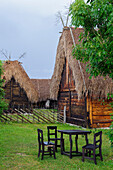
75	109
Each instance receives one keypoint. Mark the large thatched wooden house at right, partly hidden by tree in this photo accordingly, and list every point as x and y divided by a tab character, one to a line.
71	86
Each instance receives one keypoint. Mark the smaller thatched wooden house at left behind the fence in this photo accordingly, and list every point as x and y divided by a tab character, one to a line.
19	90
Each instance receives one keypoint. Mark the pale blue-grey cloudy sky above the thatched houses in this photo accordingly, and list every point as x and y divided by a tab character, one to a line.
31	27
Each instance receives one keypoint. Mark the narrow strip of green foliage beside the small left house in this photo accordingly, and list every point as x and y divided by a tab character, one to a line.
3	104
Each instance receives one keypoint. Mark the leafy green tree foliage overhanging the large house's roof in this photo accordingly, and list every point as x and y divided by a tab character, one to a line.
96	48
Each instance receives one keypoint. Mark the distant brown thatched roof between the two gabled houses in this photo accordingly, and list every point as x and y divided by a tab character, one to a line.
43	87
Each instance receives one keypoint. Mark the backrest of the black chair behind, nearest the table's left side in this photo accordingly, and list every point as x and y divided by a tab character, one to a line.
52	132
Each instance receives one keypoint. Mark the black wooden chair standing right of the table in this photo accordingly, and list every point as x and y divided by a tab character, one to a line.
92	147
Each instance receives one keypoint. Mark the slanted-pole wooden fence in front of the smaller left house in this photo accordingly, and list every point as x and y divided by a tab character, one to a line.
26	116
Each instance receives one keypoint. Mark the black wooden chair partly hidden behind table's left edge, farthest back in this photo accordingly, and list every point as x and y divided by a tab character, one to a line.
52	136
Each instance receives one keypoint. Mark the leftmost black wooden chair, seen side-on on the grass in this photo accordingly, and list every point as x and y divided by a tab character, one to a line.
50	146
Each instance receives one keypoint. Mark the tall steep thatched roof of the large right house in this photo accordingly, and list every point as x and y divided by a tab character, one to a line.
97	87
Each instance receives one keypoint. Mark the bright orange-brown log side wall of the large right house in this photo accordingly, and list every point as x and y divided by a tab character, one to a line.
99	112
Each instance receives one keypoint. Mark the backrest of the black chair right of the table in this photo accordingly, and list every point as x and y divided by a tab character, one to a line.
98	138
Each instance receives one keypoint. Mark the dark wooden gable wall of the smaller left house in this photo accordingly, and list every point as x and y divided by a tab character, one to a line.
15	95
